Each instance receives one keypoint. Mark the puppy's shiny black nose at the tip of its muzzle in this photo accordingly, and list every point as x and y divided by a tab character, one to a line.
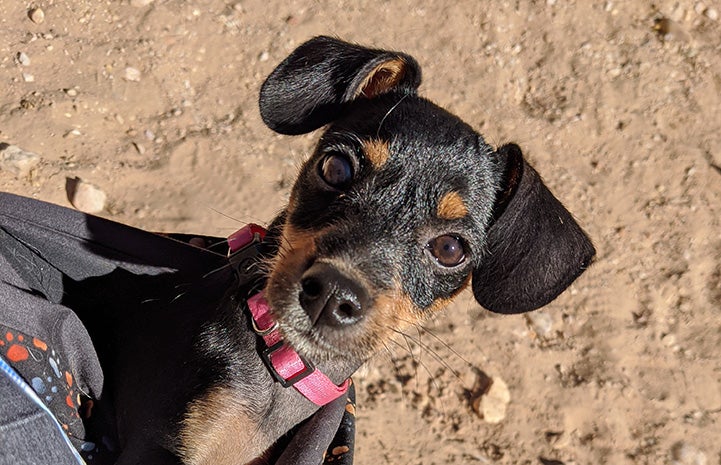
330	297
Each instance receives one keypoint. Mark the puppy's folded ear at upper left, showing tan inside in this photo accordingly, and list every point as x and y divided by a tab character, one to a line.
308	89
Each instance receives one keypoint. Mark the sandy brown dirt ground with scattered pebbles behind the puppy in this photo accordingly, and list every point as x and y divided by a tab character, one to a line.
616	103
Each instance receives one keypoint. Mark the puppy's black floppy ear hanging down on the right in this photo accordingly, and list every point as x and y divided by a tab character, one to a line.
535	248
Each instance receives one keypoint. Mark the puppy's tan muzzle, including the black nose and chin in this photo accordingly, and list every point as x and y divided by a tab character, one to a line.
325	307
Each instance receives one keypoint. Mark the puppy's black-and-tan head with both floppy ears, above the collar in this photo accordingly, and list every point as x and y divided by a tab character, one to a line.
401	206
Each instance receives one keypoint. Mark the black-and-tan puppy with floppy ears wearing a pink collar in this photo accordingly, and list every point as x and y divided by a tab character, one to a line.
400	207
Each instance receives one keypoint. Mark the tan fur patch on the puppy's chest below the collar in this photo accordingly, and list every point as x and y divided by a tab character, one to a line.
211	427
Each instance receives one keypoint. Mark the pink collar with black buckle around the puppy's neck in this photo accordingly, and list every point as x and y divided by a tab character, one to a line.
287	366
